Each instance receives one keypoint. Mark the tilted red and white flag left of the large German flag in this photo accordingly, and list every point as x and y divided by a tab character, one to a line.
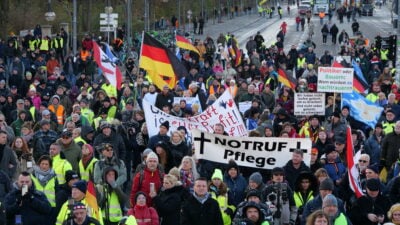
109	68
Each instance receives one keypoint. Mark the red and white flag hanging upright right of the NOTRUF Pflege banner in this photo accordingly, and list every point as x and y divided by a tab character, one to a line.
353	172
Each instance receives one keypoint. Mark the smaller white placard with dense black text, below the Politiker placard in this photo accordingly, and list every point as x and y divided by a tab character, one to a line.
307	104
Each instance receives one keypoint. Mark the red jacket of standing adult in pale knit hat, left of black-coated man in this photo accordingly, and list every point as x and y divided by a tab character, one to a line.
148	177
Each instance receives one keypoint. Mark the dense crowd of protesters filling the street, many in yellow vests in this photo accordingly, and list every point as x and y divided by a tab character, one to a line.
63	125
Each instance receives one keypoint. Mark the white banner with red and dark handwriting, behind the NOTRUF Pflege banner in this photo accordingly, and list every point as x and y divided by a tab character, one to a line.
223	111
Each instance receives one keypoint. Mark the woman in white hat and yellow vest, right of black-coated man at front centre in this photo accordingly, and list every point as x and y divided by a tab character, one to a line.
219	192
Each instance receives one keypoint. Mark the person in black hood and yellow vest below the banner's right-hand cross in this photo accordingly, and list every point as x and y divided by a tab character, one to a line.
304	191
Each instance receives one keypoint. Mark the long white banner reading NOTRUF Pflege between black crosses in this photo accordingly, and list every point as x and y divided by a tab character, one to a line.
256	152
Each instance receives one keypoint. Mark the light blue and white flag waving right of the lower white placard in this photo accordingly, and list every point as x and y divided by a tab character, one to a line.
361	108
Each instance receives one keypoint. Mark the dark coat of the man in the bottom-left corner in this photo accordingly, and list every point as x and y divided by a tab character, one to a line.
34	207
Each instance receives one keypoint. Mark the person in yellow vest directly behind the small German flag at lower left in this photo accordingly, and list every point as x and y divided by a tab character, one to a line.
86	164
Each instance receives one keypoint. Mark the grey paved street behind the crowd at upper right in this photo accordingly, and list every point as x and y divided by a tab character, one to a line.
247	25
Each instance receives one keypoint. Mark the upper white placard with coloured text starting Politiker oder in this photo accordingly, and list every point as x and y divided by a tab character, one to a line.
335	79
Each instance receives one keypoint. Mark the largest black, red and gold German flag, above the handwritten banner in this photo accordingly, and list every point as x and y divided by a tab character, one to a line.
165	66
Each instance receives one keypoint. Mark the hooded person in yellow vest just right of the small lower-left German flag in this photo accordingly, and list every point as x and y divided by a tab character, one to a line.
112	198
